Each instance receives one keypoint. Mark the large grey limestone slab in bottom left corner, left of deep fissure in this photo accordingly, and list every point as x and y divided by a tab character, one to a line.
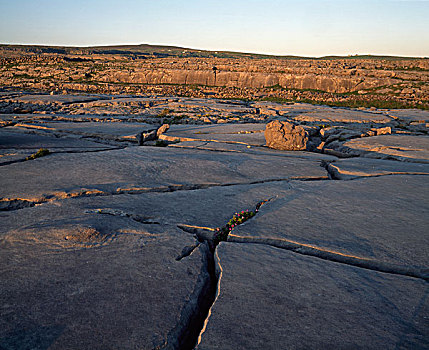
76	279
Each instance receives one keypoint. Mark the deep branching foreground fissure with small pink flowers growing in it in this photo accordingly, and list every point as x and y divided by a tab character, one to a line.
193	329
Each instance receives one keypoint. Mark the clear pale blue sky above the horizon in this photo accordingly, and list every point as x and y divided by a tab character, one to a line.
285	27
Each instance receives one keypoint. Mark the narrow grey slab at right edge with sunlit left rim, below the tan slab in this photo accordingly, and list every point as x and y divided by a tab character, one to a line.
347	169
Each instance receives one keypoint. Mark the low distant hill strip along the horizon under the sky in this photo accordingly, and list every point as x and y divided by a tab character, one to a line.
146	50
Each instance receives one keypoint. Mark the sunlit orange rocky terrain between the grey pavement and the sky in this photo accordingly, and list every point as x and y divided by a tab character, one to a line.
355	81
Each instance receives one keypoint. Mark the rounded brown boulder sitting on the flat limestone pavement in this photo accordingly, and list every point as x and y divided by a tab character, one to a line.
286	136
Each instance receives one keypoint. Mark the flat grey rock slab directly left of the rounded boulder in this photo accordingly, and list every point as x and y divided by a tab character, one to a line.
248	134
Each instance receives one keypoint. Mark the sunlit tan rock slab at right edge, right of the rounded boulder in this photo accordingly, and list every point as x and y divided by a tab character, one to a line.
410	148
